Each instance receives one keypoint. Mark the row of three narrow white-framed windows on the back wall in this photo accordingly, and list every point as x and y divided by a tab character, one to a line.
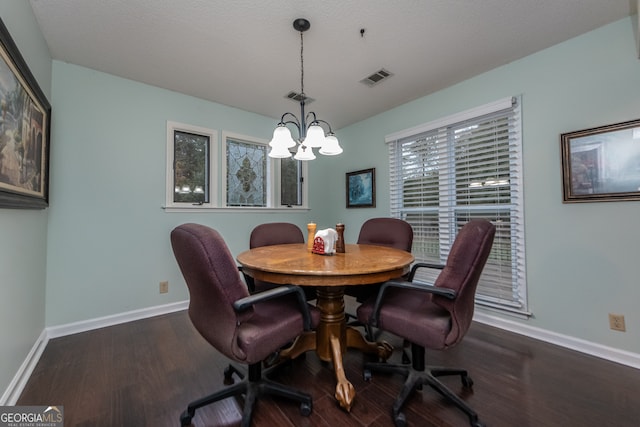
246	176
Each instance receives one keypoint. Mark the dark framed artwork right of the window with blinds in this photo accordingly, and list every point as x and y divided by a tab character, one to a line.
601	164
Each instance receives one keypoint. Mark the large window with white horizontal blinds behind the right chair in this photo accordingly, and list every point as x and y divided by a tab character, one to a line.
447	172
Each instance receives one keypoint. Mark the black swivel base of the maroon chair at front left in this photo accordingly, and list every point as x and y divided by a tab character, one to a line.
252	388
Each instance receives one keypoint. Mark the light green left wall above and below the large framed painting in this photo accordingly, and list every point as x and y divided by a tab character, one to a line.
23	233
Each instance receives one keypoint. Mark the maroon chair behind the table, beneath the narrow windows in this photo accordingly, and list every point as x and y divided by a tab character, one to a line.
275	233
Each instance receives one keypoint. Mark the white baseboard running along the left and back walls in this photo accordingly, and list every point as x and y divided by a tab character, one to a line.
14	390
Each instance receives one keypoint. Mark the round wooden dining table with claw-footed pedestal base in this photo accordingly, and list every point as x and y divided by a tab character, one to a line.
358	265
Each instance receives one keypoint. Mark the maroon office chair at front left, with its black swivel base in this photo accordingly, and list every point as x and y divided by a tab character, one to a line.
245	328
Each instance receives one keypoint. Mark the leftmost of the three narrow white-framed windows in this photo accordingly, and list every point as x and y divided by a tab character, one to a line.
191	154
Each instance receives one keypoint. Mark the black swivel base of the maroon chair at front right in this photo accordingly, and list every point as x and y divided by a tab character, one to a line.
416	375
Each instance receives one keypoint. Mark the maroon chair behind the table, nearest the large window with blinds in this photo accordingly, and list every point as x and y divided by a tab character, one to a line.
390	232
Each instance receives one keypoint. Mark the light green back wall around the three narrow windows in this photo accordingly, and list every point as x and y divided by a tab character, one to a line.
108	242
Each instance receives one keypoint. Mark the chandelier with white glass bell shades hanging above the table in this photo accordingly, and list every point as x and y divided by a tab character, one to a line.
311	134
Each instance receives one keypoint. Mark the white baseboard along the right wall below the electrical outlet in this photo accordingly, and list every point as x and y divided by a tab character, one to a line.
609	353
